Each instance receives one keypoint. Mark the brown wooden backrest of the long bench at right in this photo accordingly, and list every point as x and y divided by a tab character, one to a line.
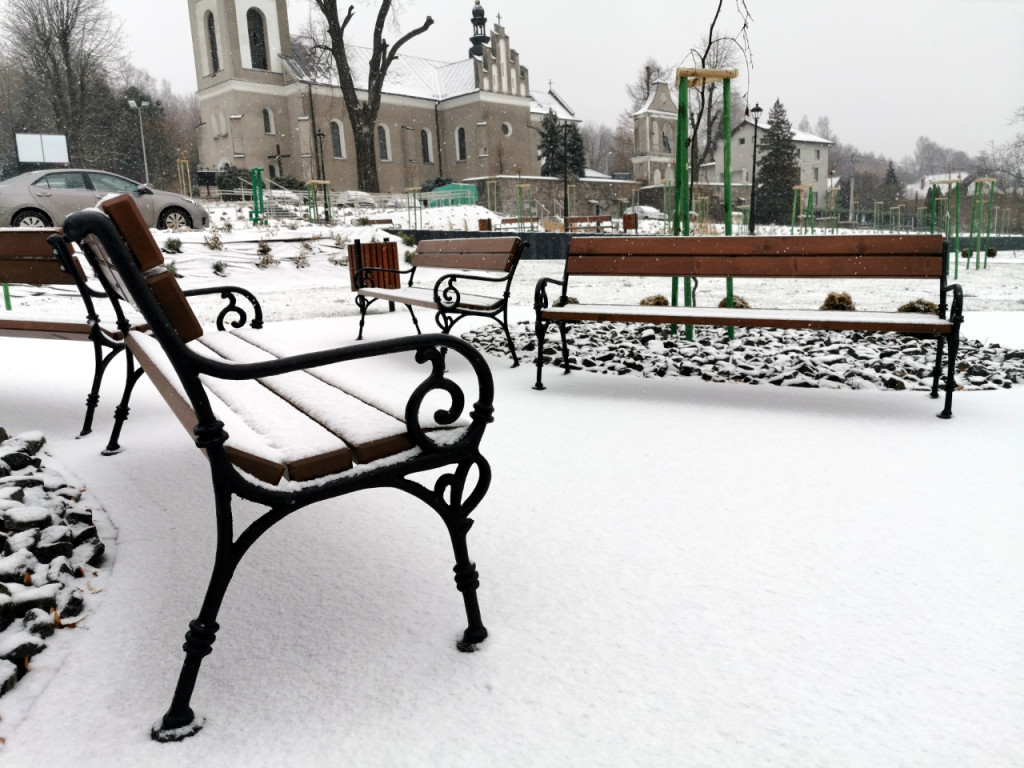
814	257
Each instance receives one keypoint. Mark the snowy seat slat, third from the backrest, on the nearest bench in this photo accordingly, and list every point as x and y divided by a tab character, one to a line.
370	433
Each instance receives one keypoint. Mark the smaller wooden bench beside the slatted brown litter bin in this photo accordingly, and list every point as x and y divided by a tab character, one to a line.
486	266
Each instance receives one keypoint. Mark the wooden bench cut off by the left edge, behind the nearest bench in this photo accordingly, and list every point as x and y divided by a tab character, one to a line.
27	259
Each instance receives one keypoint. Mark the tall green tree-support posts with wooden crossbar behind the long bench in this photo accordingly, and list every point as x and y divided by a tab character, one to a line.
681	209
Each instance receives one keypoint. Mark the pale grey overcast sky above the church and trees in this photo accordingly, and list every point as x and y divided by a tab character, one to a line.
885	72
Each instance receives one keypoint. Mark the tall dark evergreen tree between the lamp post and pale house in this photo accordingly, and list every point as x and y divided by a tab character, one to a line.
779	169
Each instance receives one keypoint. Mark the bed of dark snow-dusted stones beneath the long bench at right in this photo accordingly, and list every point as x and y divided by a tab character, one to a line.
785	358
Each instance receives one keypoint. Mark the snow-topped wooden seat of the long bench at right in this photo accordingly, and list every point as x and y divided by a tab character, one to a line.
799	319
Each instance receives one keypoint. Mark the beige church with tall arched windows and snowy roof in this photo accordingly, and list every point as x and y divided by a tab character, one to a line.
266	102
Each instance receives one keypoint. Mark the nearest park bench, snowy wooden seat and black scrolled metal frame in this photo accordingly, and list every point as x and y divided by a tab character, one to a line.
285	423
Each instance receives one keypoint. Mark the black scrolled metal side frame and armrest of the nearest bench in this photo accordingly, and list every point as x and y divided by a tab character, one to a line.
453	496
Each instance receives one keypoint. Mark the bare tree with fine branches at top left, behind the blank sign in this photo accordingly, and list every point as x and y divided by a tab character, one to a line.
65	52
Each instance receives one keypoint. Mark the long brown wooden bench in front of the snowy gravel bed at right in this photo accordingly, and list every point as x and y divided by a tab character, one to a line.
895	258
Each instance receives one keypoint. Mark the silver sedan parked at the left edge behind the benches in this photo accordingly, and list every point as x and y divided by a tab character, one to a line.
46	198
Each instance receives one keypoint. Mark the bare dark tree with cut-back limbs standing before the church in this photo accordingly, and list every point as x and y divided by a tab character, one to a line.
363	115
